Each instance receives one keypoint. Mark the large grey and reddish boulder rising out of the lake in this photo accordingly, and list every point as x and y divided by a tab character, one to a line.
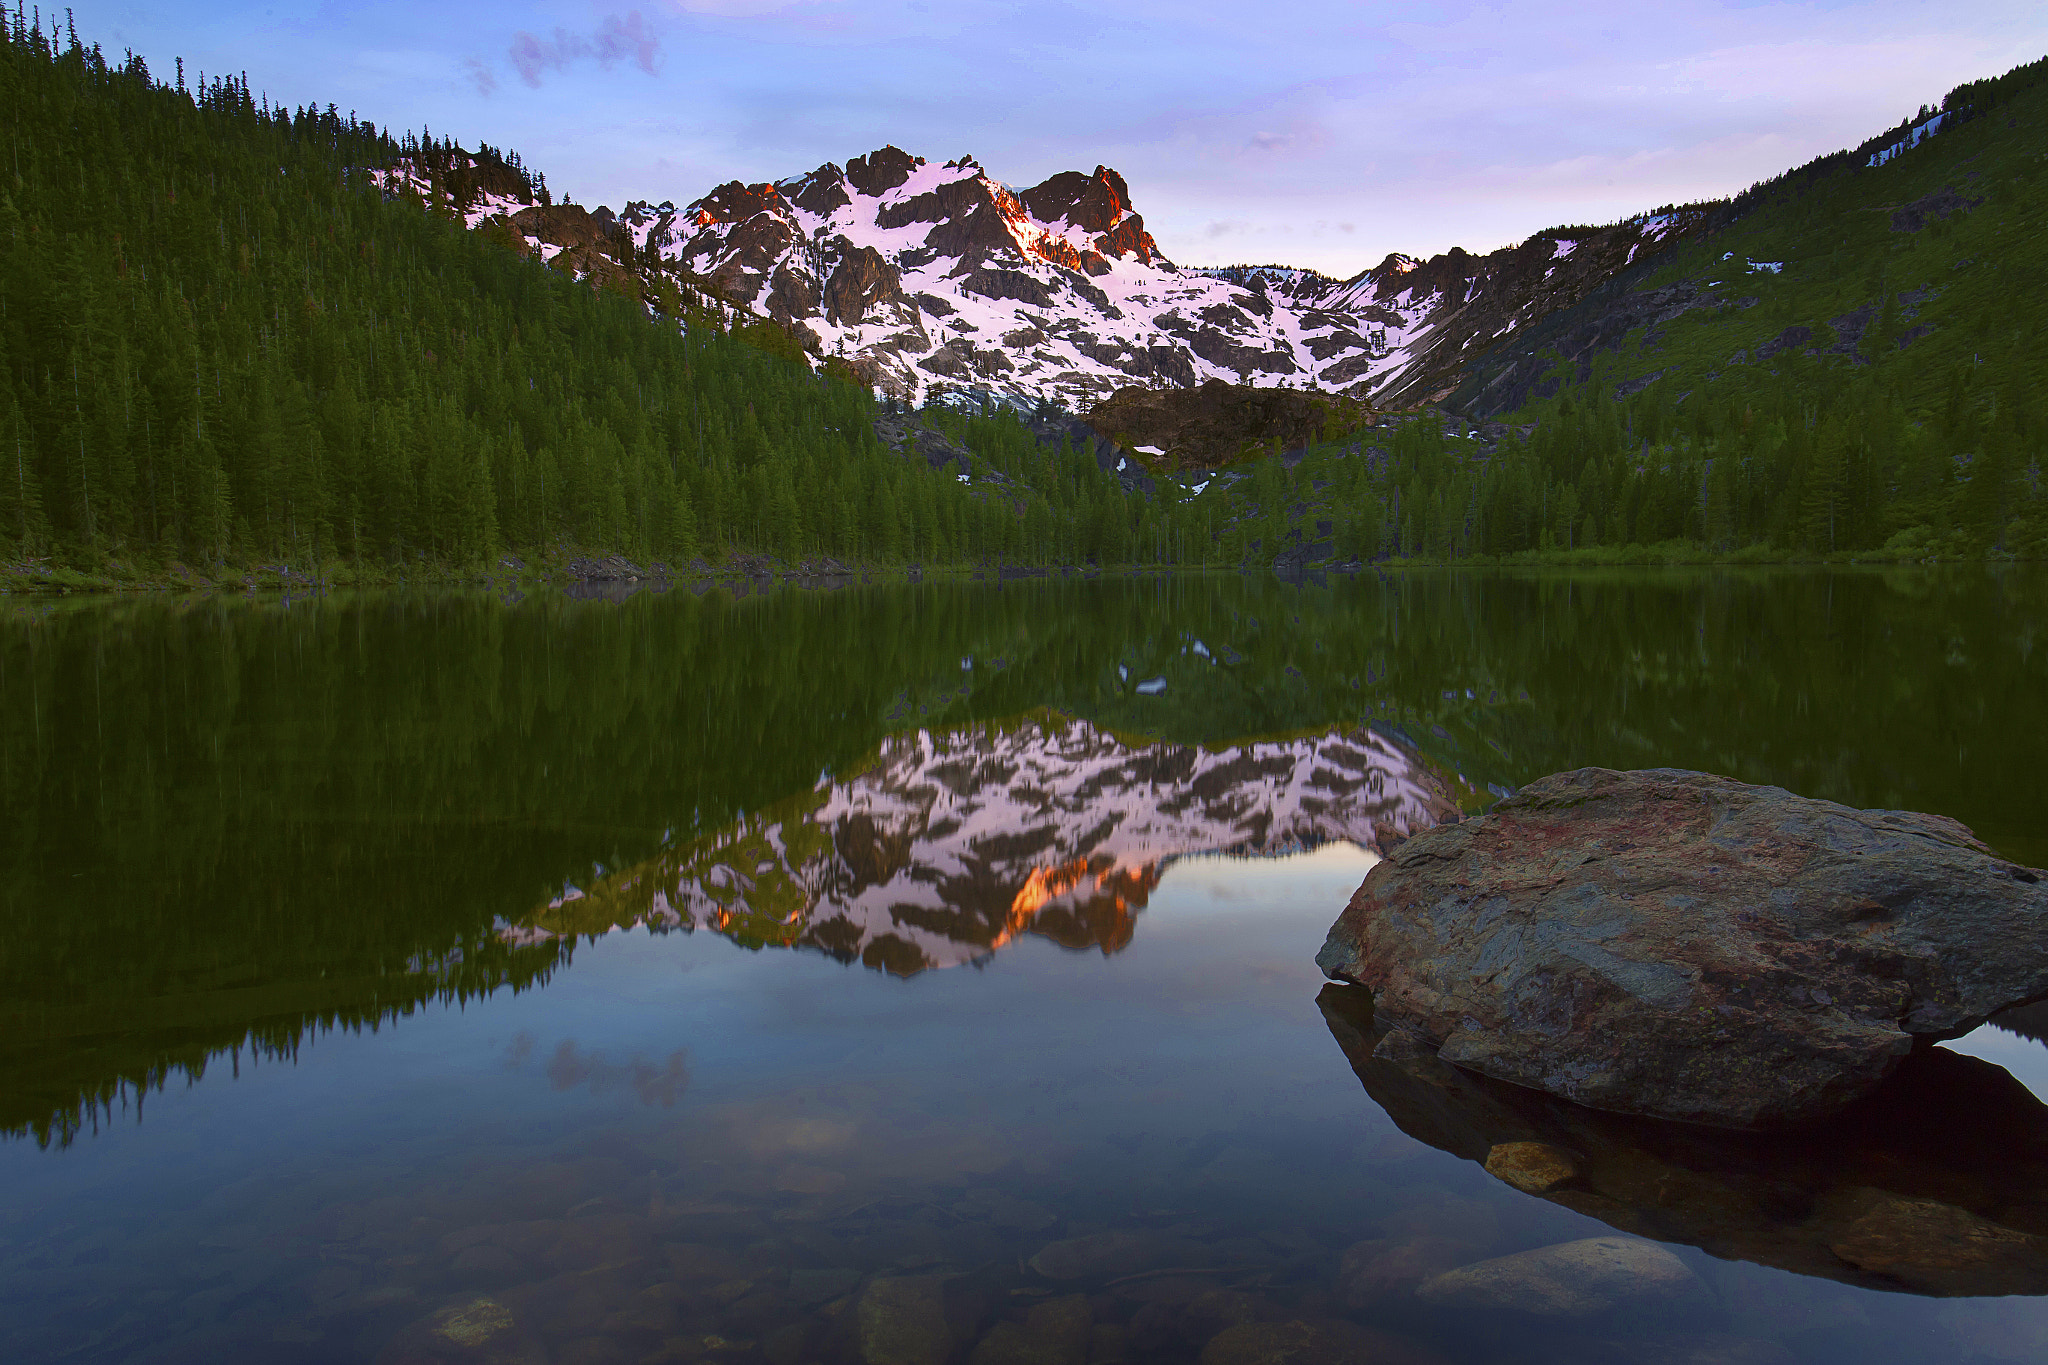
1695	949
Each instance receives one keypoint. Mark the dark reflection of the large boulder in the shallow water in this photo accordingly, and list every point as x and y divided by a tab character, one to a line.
1936	1184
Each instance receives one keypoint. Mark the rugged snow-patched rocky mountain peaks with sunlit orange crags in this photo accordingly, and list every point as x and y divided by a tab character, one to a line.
937	275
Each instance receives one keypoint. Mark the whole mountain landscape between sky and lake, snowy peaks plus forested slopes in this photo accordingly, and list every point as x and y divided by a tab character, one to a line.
249	343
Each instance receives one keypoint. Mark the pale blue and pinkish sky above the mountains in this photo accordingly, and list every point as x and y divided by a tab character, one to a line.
1312	134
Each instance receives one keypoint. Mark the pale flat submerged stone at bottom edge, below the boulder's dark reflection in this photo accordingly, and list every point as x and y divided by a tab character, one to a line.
1572	1280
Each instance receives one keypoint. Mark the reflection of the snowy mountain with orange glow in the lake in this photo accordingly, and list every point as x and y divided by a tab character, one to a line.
953	844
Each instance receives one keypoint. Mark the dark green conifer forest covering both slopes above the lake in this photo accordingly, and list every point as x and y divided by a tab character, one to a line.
226	347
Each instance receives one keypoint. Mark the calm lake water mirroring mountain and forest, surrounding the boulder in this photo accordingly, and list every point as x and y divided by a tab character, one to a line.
921	975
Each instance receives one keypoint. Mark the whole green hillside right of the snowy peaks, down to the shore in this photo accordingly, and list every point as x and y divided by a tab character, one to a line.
1854	365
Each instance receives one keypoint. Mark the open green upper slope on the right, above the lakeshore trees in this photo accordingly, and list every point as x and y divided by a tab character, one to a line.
1893	263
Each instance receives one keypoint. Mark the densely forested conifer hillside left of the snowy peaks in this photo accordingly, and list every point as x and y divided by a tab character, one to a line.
222	347
